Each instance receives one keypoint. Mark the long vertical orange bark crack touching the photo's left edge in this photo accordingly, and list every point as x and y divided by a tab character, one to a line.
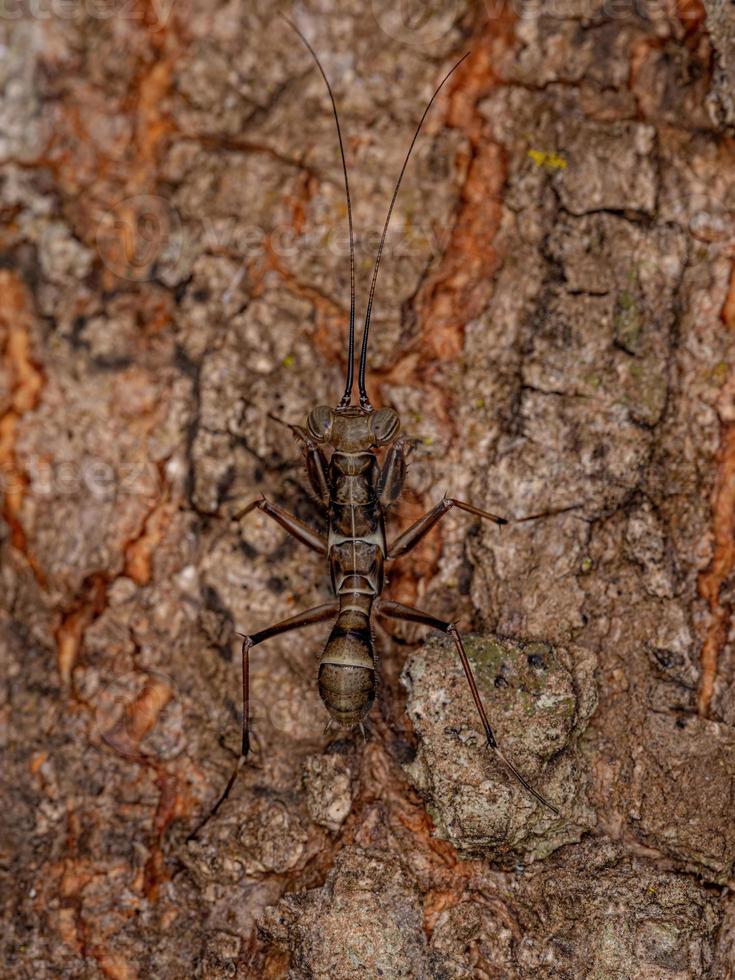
26	381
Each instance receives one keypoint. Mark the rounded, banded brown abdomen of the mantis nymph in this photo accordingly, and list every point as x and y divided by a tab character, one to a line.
347	669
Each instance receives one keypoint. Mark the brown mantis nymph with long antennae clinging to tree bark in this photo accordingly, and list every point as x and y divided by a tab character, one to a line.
355	491
